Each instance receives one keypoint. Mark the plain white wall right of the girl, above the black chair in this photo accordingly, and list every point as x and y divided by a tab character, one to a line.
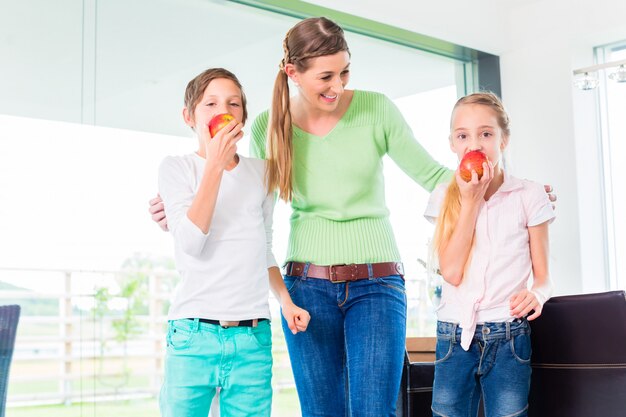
559	123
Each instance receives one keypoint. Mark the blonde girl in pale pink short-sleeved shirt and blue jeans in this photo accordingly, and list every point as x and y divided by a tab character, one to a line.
491	234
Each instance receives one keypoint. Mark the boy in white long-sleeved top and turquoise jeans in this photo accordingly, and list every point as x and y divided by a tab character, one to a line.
220	215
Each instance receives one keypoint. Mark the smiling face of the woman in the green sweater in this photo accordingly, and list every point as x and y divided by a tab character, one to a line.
322	84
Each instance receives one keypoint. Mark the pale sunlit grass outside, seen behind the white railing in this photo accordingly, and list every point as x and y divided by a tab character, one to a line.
90	378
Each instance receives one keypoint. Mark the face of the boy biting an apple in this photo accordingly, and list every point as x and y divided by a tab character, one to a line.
221	96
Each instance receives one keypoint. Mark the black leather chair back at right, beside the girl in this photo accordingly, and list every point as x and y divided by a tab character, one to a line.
579	357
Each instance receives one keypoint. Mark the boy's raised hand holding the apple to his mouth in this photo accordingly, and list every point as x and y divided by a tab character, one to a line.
221	149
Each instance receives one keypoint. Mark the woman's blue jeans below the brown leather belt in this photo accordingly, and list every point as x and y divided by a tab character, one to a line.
349	360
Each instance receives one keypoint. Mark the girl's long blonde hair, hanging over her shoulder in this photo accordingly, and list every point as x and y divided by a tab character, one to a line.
451	205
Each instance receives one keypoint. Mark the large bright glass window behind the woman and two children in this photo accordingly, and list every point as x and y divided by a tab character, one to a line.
80	253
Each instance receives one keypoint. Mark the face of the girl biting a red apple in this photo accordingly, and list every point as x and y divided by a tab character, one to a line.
476	127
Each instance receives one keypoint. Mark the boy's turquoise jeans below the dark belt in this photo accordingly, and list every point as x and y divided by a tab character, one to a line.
201	357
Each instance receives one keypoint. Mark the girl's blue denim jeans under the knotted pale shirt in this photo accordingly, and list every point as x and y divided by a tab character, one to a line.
497	365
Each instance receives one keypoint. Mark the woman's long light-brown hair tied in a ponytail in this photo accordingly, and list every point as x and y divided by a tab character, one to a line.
310	38
